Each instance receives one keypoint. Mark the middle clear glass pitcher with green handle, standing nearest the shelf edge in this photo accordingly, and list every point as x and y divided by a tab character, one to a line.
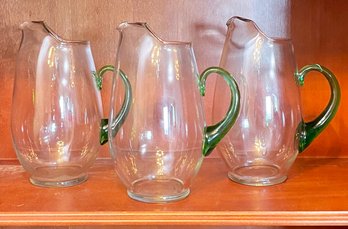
163	138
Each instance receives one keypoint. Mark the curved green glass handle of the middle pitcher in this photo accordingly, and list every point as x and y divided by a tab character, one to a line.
213	134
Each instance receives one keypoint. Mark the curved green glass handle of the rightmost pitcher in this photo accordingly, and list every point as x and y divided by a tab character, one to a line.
307	131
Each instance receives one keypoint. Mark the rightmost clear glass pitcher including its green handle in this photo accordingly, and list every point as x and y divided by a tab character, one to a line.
269	131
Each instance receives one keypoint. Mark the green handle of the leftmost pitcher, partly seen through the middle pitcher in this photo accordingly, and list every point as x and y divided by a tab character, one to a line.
121	116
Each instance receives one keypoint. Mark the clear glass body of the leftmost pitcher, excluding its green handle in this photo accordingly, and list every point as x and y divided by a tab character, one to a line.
56	108
